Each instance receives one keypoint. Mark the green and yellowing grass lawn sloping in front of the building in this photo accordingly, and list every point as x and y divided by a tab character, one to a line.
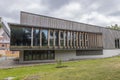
99	69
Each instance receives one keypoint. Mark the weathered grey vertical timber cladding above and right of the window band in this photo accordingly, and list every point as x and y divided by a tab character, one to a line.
108	38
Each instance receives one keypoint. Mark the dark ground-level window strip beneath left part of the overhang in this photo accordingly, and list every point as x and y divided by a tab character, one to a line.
38	55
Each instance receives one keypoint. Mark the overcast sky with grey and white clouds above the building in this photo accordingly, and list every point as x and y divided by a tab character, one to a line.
96	12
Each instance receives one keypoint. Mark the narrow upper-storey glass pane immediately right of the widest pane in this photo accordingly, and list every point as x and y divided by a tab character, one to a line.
36	37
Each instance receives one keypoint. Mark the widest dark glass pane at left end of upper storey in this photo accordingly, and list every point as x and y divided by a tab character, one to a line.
20	36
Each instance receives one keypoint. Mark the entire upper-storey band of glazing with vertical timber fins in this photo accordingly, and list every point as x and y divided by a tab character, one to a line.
24	36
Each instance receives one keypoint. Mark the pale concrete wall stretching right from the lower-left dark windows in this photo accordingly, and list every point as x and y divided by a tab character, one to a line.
72	55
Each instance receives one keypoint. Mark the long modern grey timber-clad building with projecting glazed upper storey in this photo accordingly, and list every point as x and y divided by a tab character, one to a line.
42	39
